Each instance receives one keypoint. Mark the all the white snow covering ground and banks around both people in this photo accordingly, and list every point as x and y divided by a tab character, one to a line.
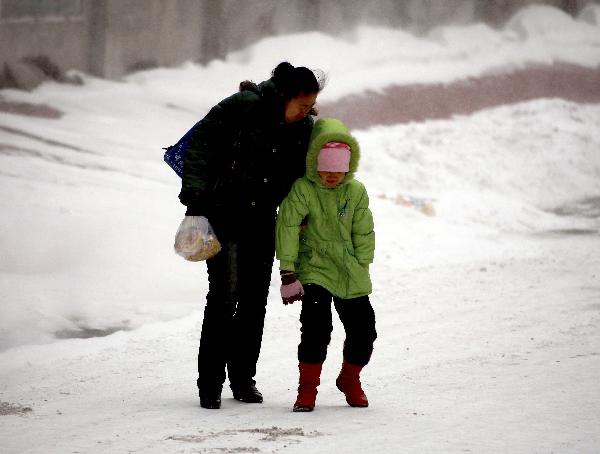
488	311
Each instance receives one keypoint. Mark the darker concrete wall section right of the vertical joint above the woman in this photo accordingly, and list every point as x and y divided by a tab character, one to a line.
235	24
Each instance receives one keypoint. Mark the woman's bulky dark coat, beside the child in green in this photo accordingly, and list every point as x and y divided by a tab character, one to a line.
243	158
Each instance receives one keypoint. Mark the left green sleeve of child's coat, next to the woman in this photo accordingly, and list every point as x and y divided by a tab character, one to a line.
287	232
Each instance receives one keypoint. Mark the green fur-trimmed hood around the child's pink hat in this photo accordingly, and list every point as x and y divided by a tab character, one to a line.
330	130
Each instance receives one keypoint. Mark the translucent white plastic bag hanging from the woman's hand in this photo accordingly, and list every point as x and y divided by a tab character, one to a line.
195	239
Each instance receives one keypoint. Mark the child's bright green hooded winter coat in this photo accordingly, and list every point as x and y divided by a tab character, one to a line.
336	242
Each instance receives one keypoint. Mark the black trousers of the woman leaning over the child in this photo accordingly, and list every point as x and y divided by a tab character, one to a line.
238	285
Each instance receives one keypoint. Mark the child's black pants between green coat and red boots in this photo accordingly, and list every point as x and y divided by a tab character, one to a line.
357	316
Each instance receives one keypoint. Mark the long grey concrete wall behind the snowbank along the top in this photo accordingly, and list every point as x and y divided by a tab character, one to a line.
109	38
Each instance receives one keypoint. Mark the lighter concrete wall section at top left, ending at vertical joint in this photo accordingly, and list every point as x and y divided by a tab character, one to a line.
107	38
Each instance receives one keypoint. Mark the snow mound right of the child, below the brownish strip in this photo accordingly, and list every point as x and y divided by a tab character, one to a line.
503	168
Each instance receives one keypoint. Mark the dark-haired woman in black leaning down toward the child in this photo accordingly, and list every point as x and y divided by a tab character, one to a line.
241	162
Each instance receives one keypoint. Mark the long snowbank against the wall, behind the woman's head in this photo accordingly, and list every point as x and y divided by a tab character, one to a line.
370	58
